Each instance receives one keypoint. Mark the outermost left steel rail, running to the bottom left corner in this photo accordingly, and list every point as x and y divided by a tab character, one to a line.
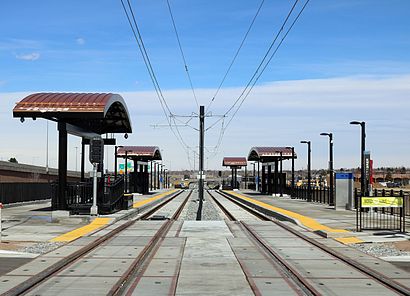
47	273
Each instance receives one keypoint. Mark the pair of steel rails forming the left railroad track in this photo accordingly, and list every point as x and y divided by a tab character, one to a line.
123	284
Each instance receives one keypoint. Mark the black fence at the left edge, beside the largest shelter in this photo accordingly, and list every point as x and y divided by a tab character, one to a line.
23	192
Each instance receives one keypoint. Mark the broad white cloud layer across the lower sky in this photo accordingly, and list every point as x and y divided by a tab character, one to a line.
276	114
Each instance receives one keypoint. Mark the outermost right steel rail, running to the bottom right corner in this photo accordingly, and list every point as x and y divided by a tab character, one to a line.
375	275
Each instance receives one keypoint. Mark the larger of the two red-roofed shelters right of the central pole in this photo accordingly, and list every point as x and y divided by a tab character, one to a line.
271	181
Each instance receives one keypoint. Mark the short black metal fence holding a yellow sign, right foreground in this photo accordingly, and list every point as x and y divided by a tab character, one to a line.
381	217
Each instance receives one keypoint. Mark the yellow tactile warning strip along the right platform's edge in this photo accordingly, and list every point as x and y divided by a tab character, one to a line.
306	221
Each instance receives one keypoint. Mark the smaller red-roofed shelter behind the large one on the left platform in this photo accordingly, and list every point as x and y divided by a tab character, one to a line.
141	156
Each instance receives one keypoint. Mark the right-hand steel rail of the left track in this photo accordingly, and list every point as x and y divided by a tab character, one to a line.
129	280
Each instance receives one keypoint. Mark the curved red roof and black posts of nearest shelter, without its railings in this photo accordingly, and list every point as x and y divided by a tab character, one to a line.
87	115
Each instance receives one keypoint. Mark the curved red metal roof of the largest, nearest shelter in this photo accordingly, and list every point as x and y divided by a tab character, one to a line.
95	112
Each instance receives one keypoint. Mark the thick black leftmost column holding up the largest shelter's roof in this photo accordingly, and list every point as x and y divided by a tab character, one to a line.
59	202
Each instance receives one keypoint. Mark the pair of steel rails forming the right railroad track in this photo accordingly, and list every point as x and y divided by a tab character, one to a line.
307	287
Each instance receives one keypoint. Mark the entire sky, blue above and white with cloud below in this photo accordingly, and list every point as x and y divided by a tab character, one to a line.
344	60
